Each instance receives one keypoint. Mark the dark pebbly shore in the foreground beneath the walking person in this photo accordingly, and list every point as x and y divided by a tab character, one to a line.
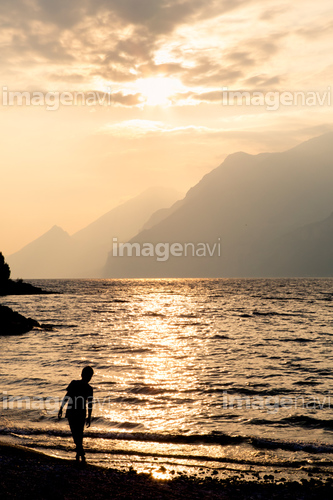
29	474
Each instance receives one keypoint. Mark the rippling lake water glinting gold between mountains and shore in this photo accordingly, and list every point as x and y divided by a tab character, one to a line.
205	376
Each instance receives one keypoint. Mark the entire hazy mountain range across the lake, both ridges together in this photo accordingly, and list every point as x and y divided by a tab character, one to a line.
261	215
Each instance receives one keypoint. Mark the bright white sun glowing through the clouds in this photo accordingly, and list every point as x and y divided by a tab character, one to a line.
158	90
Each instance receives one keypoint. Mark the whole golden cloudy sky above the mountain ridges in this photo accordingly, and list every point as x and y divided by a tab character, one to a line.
160	66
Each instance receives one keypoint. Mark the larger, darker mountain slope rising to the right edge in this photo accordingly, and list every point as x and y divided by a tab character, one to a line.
252	203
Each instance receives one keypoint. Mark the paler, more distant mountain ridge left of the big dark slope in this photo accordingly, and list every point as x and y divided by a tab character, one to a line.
56	254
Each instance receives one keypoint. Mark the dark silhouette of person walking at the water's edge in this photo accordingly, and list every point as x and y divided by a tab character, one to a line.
79	397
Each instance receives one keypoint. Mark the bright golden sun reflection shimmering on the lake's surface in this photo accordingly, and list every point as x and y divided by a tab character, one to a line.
153	361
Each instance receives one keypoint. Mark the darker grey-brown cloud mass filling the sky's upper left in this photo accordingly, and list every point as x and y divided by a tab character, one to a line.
116	39
